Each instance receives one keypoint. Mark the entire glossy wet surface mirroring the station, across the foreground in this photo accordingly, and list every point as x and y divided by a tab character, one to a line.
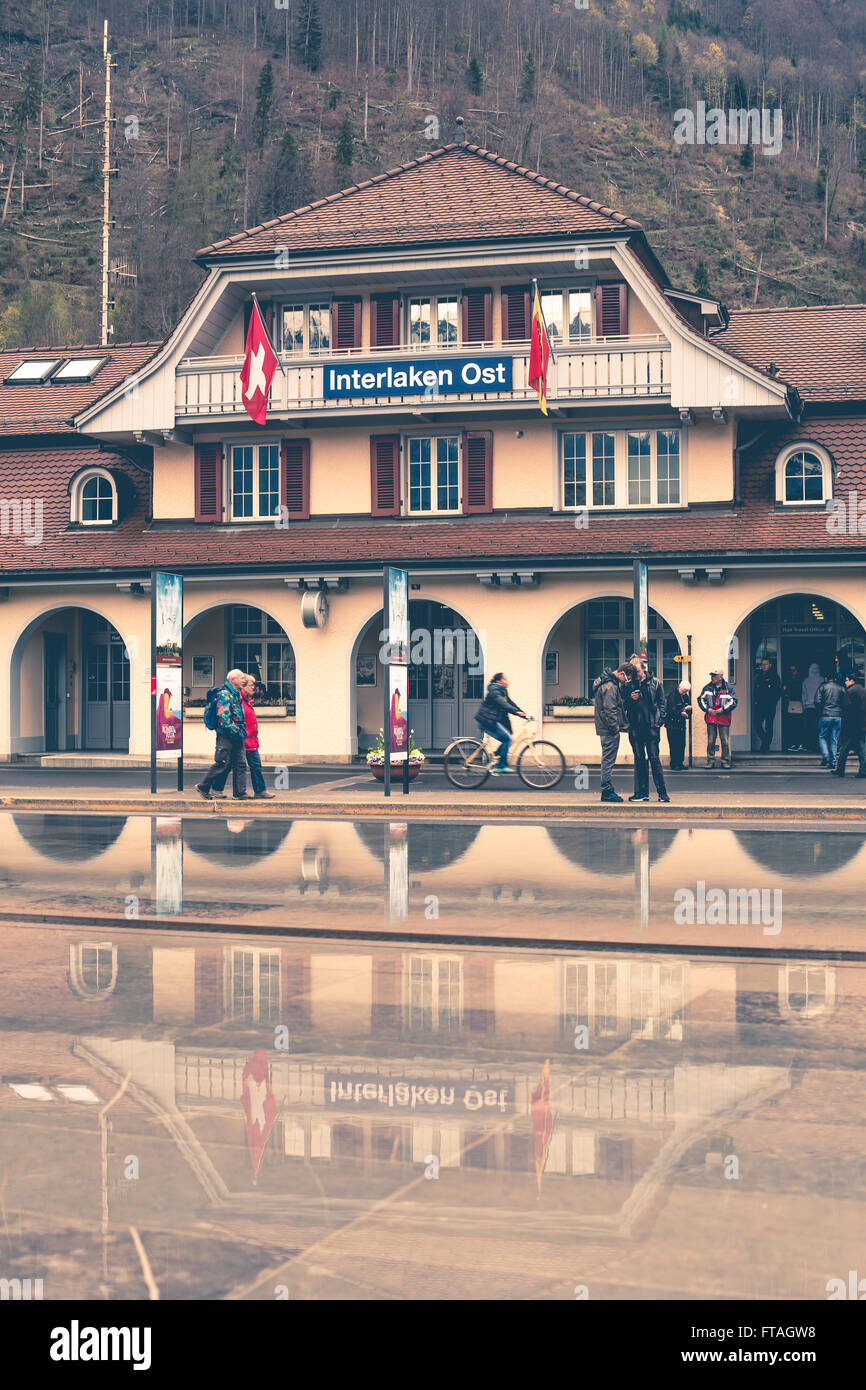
345	1060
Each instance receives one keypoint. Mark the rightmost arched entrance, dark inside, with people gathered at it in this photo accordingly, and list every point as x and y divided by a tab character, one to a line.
796	632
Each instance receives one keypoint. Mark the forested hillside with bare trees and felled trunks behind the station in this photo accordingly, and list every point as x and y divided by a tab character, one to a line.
231	112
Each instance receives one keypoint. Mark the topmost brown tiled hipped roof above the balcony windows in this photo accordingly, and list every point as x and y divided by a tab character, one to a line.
457	194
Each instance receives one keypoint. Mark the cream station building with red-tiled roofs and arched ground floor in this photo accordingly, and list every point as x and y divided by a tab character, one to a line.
725	450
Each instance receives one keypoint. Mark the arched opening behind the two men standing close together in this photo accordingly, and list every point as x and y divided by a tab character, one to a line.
596	635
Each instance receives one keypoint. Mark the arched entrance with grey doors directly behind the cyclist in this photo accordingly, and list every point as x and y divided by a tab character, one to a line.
446	678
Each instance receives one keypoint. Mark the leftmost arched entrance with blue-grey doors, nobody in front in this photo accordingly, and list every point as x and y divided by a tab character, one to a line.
70	685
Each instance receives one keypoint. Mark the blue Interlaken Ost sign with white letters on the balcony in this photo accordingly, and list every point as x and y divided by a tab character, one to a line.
427	377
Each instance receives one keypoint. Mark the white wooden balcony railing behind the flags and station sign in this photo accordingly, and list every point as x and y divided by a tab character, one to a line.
603	369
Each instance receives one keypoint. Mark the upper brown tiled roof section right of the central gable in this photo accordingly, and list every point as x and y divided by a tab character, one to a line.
821	351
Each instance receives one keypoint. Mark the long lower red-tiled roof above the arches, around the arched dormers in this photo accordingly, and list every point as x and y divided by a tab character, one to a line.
757	528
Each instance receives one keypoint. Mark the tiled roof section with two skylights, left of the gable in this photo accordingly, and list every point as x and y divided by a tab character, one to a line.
49	409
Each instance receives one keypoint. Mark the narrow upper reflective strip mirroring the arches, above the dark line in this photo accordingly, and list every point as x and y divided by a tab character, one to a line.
686	888
